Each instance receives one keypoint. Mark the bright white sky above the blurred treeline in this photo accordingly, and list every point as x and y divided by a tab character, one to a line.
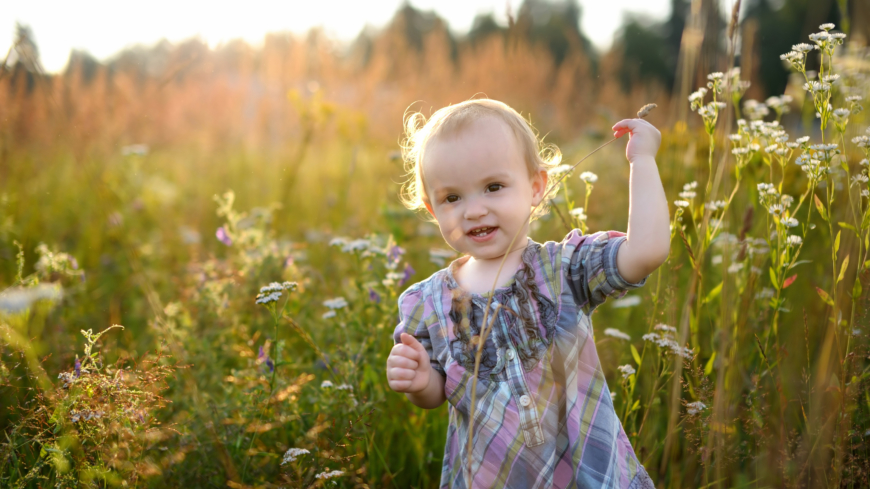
104	28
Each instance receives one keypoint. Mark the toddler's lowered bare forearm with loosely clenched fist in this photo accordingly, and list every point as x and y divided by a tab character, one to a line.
409	371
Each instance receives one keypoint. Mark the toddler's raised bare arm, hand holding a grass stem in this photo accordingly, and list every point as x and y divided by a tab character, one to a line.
648	239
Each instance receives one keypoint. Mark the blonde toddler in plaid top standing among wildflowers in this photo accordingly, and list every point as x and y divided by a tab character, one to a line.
543	416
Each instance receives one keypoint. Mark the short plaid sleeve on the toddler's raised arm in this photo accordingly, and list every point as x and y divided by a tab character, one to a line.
592	273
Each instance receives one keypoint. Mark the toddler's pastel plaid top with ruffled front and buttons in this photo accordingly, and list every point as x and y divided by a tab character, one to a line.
543	415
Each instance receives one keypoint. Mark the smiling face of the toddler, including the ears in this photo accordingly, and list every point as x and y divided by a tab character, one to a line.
479	190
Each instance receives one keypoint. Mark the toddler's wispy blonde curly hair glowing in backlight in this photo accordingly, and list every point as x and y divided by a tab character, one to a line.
451	119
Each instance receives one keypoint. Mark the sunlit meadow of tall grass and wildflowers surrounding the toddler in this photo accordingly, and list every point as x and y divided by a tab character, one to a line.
201	252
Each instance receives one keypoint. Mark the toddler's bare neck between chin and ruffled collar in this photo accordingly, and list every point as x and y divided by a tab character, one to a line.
477	275
